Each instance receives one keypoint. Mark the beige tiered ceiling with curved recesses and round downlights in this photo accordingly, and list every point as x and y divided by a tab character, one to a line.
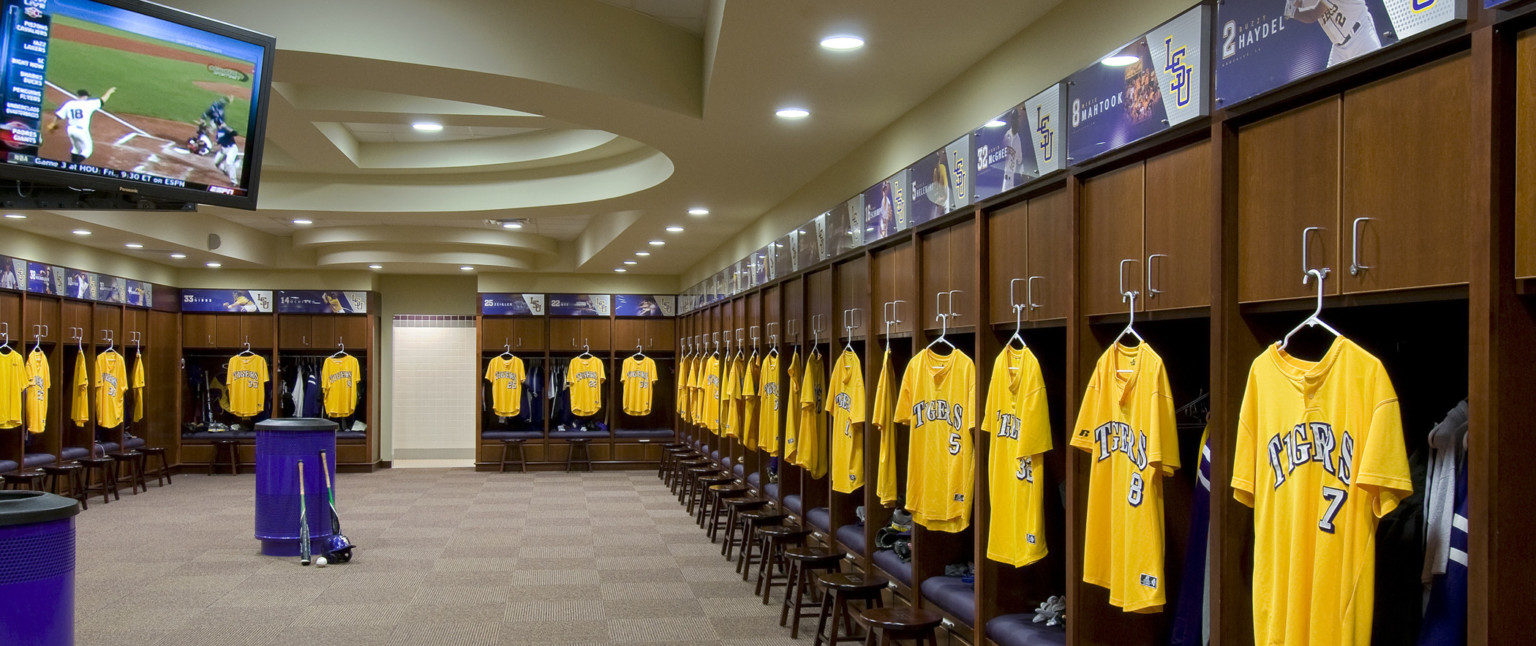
600	122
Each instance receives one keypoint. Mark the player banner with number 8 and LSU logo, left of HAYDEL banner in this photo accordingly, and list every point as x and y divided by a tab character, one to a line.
1140	90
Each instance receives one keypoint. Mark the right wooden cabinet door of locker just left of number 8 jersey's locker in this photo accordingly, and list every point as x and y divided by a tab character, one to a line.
1050	257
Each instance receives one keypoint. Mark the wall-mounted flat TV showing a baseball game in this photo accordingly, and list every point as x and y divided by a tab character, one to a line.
102	91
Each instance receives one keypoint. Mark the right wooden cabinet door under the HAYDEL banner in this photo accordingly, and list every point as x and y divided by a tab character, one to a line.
1408	147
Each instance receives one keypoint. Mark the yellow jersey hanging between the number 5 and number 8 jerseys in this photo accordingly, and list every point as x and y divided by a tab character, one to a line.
1019	421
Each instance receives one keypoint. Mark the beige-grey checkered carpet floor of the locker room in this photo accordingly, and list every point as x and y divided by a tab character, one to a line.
445	558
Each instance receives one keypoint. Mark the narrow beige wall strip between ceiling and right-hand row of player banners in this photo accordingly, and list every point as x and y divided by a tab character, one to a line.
1065	41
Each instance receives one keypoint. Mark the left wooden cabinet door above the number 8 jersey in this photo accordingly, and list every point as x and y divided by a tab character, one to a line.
1113	220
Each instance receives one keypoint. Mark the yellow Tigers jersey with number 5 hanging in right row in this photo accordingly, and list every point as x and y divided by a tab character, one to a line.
938	403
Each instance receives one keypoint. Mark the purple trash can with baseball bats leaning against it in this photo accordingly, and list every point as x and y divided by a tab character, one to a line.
280	447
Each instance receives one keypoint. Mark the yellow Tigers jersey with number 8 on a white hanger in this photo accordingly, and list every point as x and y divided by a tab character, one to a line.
1127	423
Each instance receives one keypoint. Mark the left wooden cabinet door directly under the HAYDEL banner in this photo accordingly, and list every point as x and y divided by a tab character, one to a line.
1288	182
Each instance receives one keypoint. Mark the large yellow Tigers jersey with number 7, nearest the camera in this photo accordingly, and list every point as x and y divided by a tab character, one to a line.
1320	458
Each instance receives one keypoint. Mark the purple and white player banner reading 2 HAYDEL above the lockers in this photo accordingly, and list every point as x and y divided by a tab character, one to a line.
1263	45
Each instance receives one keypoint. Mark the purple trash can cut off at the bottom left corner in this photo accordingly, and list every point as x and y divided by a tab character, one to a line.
38	569
